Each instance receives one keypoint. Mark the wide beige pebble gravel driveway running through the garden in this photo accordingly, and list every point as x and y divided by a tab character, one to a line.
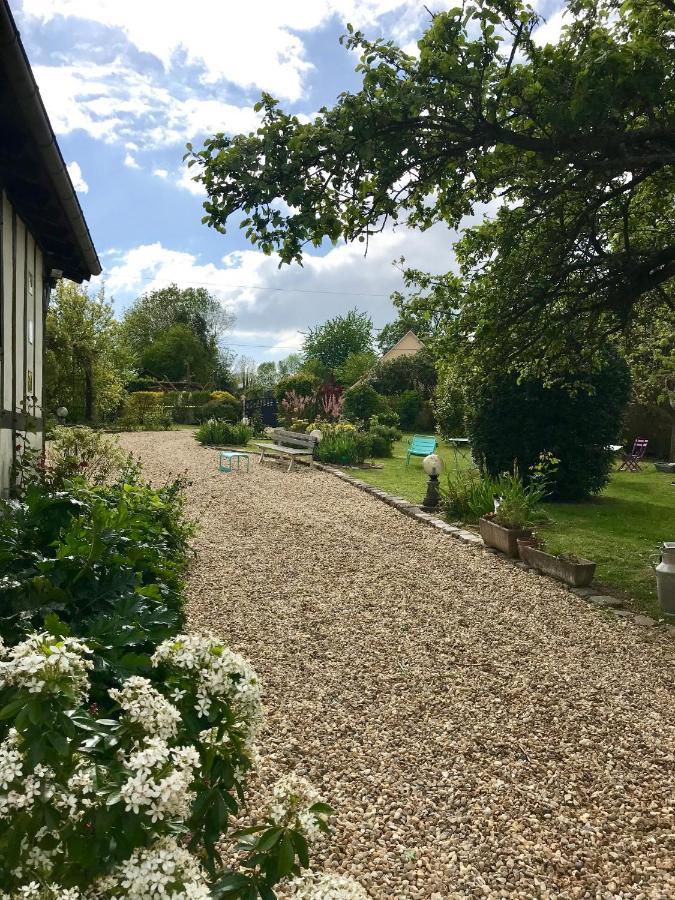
480	731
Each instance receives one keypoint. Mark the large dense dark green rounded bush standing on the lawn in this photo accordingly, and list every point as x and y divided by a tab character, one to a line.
513	423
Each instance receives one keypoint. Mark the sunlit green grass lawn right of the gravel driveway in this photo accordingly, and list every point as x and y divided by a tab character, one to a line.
620	530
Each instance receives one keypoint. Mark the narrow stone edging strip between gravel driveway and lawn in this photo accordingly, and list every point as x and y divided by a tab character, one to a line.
602	601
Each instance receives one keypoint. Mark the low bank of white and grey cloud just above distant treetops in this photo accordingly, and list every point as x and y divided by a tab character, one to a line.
273	306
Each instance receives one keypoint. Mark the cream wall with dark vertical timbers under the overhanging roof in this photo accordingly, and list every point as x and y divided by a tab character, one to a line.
21	333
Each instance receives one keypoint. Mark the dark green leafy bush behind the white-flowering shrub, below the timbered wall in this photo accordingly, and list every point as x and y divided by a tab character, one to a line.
107	561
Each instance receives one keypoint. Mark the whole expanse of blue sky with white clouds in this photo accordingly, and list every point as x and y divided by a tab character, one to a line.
127	83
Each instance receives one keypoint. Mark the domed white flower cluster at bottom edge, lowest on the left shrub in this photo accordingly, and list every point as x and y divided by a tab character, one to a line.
166	870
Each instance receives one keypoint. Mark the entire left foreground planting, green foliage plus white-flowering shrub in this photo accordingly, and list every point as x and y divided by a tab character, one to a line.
125	744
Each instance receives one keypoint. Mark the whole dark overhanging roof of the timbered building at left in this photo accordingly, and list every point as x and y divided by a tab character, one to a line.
32	170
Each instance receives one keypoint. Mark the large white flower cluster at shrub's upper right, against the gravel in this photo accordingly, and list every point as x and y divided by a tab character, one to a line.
219	672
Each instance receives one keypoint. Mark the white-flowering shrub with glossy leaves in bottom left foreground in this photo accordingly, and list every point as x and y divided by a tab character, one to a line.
130	800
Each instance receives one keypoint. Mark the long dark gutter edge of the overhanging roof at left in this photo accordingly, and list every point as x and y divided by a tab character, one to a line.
28	95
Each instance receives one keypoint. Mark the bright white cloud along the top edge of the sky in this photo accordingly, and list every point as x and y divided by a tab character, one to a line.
253	45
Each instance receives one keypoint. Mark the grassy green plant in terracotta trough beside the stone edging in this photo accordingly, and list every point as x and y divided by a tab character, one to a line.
517	510
